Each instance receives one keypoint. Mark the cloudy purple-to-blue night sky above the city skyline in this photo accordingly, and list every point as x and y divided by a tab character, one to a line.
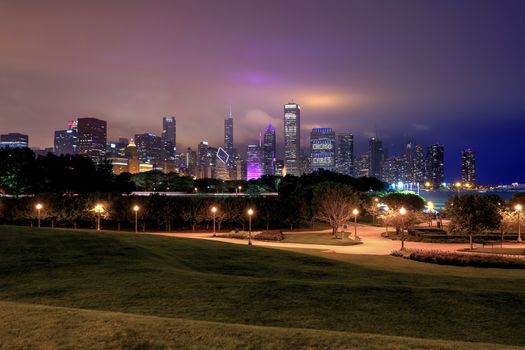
435	71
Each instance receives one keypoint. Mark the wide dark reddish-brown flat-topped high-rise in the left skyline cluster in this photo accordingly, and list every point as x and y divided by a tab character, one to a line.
92	138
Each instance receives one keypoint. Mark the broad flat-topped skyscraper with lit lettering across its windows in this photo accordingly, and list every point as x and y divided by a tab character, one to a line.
322	149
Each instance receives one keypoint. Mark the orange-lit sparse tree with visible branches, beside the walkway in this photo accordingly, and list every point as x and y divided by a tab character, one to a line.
333	203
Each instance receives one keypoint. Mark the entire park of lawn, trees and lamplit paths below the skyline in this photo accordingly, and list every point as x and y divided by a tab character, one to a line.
323	263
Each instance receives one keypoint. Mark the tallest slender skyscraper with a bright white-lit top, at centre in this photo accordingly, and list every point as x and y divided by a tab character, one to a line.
292	138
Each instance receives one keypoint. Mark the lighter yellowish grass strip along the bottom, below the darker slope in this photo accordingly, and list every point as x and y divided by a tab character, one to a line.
65	328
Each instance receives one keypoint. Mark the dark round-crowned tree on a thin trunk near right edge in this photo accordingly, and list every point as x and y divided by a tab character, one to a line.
470	214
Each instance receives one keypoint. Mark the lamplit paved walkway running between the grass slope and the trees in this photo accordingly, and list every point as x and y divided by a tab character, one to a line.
373	243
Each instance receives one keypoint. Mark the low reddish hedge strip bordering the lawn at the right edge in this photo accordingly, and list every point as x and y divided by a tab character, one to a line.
460	259
